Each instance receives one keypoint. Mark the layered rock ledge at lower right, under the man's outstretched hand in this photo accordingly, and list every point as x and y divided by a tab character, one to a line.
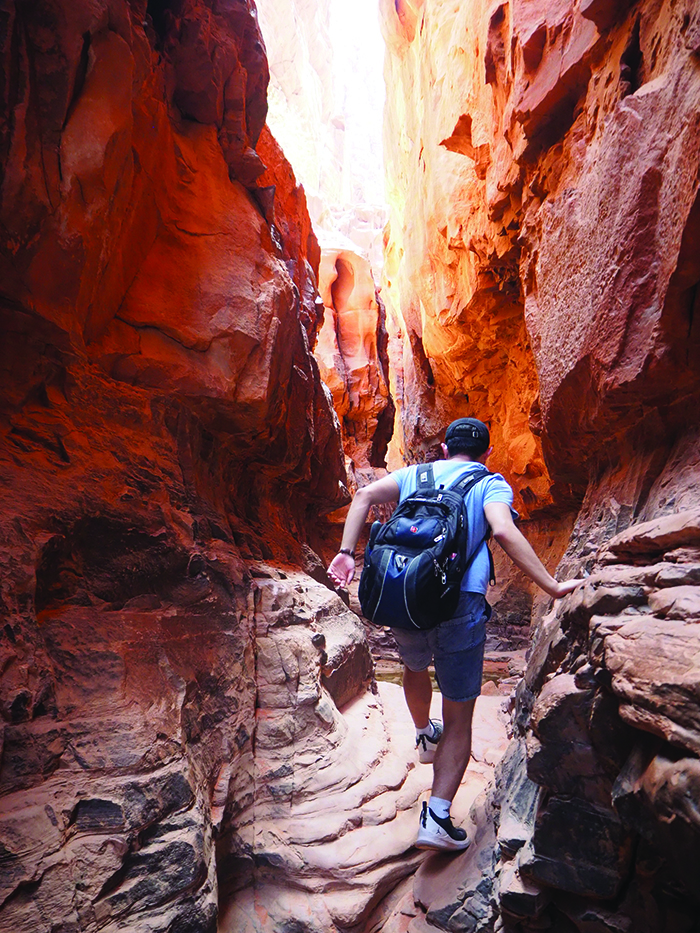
592	822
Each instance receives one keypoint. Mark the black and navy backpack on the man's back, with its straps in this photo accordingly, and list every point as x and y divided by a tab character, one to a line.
414	563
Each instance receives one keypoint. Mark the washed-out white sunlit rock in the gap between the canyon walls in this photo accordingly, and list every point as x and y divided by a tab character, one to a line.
325	108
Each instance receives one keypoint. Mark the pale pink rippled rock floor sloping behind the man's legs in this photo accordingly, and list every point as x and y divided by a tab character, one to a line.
345	841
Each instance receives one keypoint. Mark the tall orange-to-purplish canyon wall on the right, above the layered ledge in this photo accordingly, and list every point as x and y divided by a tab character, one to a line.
541	251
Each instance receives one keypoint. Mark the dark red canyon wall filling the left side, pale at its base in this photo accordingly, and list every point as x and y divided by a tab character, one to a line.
165	433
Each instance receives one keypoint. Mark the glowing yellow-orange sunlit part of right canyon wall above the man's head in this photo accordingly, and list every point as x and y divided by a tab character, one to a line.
451	274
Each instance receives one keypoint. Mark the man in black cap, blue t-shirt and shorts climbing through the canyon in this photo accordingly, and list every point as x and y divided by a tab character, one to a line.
456	646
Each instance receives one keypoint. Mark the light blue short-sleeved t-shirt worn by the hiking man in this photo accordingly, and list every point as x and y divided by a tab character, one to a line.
490	489
